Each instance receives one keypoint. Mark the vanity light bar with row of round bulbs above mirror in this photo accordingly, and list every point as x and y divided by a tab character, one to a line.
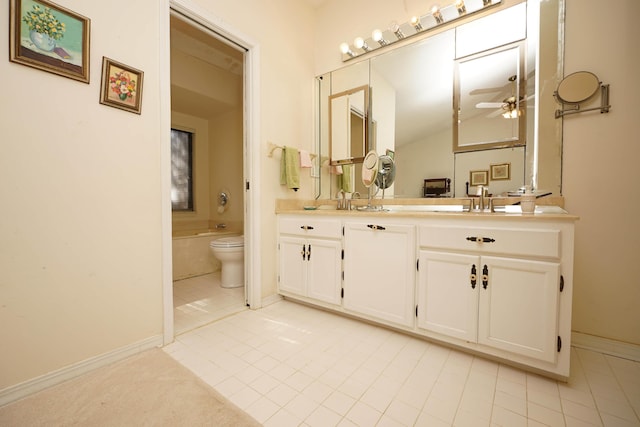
419	24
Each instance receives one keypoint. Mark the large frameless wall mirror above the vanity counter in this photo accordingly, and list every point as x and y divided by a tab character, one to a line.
410	116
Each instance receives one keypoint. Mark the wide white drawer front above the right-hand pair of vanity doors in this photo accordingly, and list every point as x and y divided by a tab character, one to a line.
515	241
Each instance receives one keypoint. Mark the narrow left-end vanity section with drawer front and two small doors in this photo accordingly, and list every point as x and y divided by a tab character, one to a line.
310	252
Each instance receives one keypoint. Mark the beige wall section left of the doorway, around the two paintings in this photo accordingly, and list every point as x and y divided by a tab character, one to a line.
80	252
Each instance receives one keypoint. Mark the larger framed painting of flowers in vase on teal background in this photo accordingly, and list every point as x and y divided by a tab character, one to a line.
49	37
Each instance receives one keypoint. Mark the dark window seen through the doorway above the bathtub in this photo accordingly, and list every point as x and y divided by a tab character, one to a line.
181	170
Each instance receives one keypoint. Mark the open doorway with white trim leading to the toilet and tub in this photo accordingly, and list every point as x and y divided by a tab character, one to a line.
221	48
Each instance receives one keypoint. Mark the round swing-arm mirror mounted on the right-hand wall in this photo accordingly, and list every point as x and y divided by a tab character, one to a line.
580	87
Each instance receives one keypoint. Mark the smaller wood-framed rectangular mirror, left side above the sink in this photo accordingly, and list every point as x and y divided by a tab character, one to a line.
348	121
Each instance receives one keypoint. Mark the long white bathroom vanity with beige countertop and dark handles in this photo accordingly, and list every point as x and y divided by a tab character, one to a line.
496	284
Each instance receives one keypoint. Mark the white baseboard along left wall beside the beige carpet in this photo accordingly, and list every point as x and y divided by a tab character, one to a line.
18	391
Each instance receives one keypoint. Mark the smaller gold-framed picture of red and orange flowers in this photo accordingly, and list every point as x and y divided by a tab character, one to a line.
121	86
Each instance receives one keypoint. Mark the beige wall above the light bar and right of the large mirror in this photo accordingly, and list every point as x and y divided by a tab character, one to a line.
600	151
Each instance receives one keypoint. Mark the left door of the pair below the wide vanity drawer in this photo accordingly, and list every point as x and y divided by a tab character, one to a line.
448	295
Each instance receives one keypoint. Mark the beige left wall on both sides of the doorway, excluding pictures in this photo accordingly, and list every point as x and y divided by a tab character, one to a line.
81	252
